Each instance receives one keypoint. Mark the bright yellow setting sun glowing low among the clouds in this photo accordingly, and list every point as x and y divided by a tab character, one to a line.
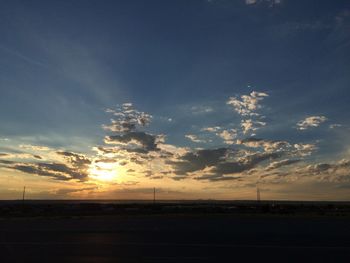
105	172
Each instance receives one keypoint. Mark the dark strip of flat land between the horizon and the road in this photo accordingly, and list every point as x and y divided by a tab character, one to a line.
51	208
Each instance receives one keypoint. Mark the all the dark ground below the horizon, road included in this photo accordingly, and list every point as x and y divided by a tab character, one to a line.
174	232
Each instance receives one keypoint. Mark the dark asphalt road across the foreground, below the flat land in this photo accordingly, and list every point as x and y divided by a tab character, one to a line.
175	238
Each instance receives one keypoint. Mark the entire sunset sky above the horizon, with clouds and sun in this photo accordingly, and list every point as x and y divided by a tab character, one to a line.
201	99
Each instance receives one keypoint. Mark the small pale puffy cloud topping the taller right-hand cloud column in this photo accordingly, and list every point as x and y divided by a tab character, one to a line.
247	105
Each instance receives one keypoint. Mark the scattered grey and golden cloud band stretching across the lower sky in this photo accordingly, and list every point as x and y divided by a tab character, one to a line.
142	155
